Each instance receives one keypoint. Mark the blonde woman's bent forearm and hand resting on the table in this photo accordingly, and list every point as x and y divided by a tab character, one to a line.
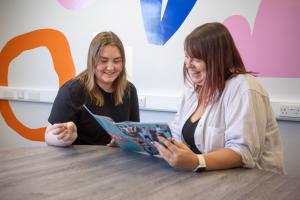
65	133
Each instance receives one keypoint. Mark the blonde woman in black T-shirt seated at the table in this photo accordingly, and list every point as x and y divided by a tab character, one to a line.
103	87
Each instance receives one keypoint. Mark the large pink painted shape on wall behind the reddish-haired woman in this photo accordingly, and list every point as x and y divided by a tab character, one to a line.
273	49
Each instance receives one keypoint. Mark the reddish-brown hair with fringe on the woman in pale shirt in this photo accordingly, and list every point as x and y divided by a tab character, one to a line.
213	43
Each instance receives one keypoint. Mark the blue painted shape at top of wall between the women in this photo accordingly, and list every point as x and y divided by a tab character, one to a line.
160	30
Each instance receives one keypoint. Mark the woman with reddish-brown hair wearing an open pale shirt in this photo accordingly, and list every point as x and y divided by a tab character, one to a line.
225	119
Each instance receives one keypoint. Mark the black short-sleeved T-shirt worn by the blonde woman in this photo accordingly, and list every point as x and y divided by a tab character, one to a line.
68	106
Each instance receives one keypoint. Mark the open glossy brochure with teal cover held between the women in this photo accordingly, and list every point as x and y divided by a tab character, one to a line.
134	136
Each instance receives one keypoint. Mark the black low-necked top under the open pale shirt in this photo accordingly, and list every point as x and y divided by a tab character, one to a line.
188	132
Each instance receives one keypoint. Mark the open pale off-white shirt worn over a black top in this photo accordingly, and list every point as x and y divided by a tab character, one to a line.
242	120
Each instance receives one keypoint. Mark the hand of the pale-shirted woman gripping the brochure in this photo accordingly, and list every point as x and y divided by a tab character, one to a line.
177	154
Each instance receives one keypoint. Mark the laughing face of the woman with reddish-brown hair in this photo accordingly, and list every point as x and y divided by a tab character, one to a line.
196	69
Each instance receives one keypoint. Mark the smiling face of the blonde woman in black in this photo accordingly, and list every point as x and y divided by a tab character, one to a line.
109	67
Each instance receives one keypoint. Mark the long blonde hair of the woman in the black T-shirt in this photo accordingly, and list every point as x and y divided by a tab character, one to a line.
87	77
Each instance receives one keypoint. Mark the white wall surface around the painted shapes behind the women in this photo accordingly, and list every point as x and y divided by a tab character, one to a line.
155	70
